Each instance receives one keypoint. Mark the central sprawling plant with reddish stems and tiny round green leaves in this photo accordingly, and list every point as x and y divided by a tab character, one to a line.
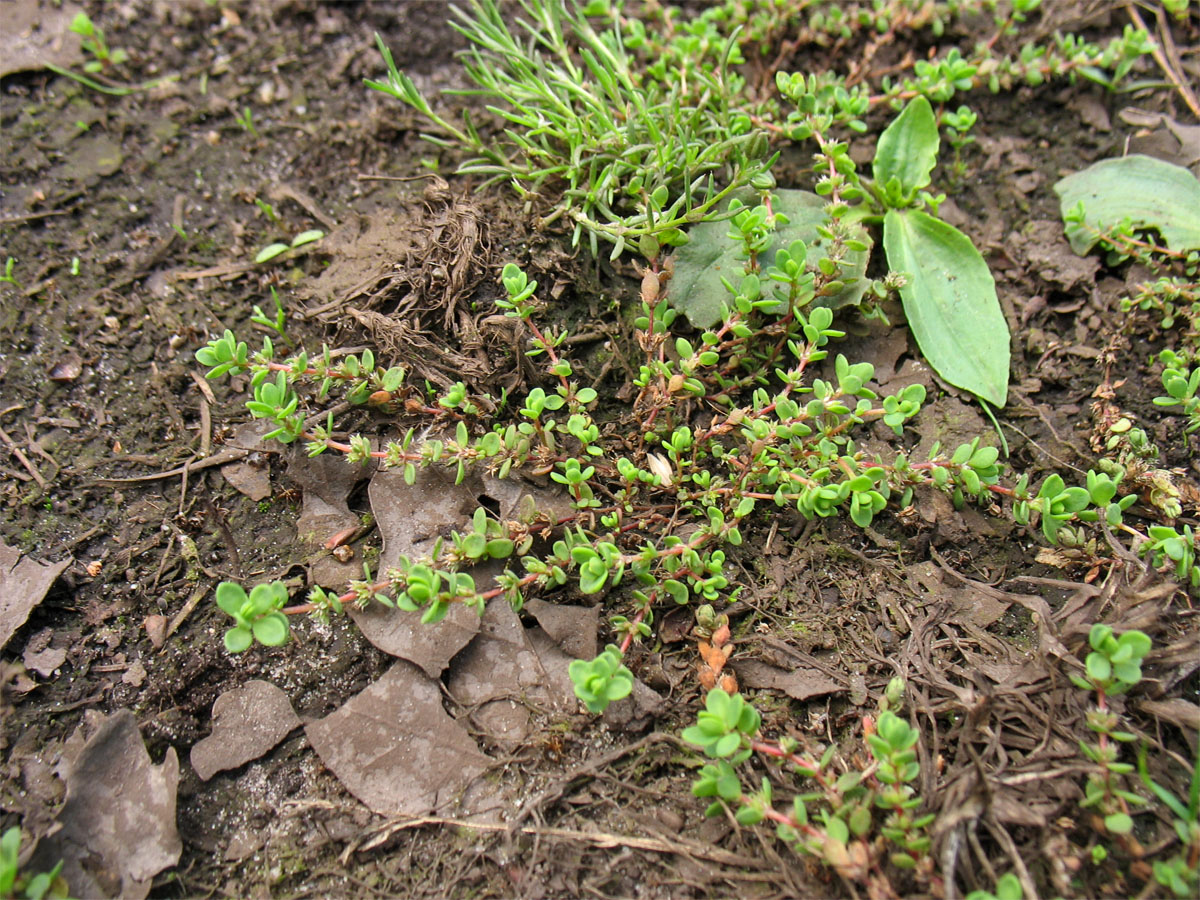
659	518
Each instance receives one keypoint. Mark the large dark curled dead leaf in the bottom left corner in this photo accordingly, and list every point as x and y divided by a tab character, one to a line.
119	818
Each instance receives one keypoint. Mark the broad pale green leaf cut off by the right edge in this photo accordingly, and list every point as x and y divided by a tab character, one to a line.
1149	193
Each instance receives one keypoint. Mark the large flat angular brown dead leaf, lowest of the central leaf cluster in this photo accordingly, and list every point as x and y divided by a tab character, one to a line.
397	749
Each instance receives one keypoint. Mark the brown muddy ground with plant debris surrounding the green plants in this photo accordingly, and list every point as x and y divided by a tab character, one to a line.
134	221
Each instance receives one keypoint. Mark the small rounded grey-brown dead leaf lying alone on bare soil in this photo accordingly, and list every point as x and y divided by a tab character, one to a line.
247	723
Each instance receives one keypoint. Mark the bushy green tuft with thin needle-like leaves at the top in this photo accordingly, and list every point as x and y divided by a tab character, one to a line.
627	155
